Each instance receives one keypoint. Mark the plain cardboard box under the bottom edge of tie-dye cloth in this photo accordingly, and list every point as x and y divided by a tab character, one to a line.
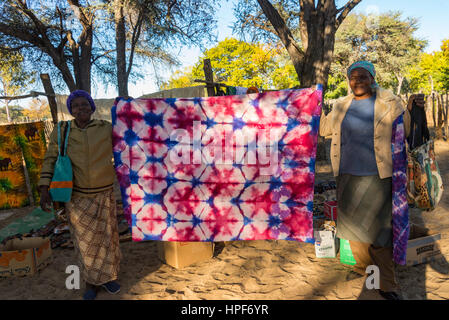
183	254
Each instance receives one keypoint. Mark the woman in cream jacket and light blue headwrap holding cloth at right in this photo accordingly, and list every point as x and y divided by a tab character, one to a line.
360	125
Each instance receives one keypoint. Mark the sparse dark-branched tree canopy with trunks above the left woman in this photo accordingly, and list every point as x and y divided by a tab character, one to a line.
71	39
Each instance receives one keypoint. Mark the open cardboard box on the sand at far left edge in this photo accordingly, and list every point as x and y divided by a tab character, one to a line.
23	257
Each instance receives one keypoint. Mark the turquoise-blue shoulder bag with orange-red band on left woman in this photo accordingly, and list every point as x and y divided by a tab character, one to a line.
62	182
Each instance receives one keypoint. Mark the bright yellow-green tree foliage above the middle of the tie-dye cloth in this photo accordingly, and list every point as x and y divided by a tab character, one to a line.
238	63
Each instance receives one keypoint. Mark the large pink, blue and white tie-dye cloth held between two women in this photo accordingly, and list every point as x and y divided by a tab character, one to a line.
248	195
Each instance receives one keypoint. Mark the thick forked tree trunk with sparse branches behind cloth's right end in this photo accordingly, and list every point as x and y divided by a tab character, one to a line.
307	31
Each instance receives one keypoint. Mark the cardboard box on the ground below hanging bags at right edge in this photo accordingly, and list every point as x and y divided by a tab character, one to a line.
422	250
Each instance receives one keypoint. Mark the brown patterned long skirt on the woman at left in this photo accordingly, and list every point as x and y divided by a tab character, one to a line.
94	230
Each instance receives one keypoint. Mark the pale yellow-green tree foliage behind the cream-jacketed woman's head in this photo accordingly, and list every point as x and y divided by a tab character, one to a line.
387	40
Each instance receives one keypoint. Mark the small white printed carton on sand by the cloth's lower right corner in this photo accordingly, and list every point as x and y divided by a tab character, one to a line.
326	244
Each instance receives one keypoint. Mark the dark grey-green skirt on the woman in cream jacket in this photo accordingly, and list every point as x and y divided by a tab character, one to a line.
365	209
